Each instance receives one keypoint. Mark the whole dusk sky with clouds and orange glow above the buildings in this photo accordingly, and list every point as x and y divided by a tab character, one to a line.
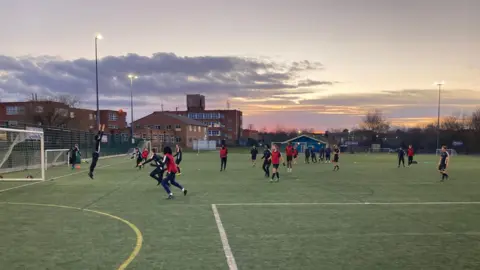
303	64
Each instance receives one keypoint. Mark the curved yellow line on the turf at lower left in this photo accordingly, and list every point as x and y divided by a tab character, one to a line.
138	233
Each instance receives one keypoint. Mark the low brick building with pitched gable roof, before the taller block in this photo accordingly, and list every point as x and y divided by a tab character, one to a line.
169	128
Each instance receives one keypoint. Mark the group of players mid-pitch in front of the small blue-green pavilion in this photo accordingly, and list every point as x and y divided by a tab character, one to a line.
273	157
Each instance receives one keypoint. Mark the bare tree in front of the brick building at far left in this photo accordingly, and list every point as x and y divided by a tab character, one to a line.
54	111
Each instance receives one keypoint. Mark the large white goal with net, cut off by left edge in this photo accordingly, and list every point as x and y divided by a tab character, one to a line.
22	156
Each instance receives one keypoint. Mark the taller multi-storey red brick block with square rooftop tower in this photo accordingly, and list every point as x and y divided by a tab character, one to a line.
222	124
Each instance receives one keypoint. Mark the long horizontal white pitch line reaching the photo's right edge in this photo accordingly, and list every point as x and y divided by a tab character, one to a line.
348	203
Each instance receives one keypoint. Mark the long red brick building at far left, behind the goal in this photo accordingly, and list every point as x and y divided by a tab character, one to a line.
51	113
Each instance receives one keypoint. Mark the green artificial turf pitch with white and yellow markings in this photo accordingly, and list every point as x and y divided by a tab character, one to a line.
313	218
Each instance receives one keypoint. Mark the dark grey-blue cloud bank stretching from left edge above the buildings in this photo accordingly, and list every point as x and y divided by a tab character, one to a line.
161	76
